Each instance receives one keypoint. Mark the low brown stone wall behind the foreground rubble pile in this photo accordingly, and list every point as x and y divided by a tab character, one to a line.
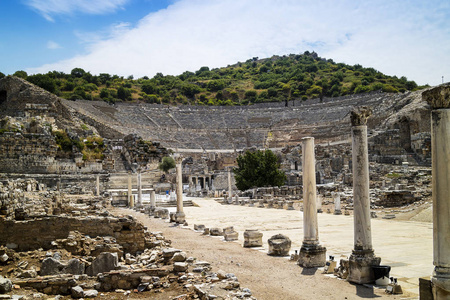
39	233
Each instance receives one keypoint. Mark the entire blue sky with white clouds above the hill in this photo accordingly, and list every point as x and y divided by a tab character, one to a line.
142	37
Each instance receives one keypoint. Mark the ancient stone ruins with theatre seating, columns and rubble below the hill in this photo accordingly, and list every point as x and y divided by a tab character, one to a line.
67	167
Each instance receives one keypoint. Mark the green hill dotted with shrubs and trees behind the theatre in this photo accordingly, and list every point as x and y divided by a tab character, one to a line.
279	78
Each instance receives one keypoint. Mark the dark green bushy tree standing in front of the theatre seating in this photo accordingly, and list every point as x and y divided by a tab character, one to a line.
258	169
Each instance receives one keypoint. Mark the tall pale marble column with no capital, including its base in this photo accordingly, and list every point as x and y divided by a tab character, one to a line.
312	254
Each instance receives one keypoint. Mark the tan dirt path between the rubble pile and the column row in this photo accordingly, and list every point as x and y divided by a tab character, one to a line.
267	277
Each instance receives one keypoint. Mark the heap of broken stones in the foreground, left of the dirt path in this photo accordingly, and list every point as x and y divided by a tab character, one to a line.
82	273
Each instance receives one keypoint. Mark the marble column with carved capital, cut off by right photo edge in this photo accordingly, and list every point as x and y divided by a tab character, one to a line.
439	100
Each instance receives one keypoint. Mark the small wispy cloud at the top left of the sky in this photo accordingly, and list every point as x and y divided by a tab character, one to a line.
49	8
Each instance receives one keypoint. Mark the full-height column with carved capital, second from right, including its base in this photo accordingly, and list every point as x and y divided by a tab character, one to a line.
362	258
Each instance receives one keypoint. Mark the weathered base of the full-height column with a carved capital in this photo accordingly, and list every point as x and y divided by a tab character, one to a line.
360	266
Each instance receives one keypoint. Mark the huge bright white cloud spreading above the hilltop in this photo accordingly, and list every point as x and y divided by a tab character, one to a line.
392	37
